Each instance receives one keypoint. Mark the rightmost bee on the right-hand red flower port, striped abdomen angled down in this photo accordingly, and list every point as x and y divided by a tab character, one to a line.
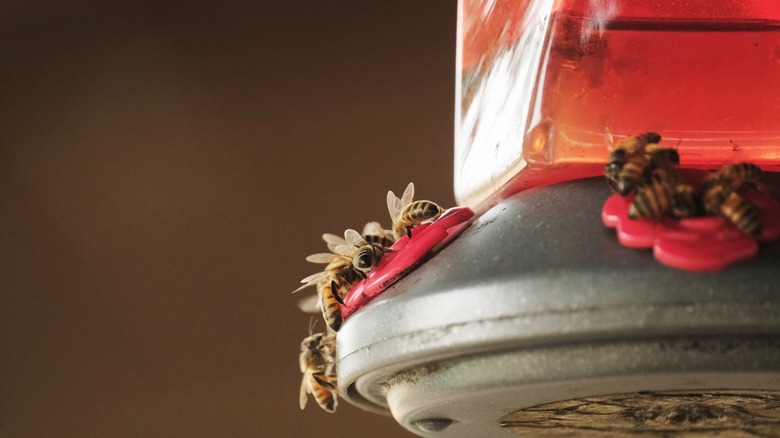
718	196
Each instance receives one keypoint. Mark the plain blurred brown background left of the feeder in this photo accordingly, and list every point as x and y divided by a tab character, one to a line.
165	167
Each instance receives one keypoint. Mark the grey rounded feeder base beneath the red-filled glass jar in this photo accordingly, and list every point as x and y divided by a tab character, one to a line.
537	322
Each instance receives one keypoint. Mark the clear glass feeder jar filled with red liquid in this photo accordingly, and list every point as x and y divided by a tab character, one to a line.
546	86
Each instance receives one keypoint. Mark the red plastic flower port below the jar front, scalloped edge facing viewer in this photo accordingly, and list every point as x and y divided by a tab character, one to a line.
697	244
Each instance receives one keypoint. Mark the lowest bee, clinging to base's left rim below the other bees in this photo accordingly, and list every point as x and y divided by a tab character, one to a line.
318	365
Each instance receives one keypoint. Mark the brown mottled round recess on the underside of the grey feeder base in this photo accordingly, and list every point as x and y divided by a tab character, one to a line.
696	413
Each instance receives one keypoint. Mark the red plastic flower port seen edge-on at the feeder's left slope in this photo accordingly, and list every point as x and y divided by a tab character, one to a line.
406	254
